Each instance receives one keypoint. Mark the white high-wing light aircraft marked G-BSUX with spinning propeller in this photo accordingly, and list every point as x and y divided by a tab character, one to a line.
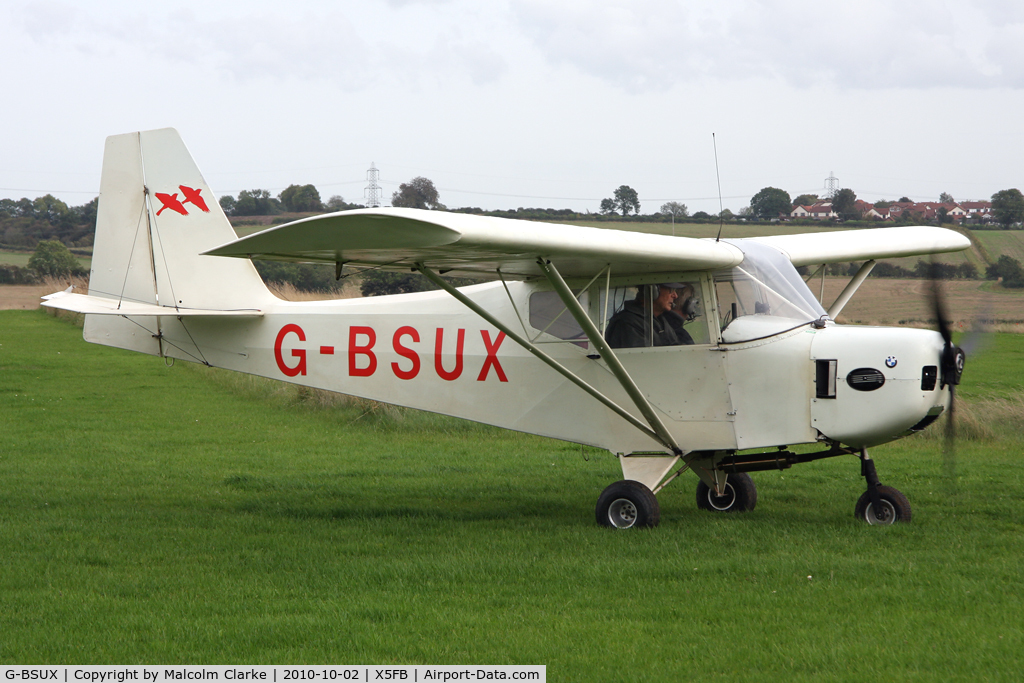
673	354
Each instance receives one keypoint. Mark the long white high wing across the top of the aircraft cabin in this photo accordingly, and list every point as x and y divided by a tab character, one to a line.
482	246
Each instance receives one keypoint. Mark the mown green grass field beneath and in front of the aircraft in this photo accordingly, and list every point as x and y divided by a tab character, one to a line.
185	516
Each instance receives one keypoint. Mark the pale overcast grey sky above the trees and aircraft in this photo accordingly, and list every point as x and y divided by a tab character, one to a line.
510	104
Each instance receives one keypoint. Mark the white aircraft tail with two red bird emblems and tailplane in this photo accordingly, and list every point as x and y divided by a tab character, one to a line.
156	218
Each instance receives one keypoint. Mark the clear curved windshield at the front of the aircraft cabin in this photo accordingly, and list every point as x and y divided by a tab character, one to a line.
762	296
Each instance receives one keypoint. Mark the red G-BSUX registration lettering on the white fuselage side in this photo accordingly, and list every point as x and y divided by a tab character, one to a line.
363	360
